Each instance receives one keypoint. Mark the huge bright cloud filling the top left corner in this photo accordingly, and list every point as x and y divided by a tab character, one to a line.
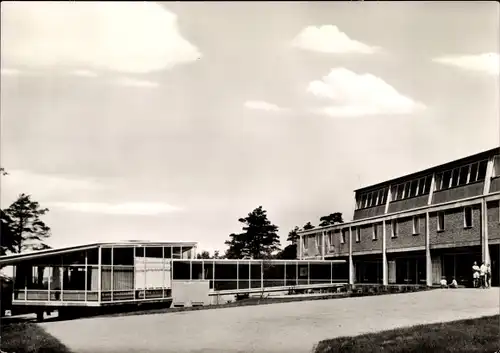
130	37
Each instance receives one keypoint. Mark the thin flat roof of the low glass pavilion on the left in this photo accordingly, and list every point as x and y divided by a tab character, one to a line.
7	259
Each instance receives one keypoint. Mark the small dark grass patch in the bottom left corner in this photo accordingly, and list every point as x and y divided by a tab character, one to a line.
27	337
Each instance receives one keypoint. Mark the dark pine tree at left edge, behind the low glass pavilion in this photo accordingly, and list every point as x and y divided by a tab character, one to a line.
22	227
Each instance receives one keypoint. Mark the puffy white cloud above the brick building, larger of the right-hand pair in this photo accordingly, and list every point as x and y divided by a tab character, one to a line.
352	94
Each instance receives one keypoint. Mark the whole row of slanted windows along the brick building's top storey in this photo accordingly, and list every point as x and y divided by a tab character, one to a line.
458	176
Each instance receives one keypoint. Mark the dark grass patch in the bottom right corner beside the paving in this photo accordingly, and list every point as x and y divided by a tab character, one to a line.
467	336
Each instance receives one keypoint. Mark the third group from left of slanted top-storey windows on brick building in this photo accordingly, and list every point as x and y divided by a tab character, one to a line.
463	175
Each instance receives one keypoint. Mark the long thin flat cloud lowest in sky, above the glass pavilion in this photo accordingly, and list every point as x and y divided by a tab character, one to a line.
128	208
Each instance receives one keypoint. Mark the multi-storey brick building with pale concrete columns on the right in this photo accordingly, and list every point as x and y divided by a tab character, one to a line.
419	228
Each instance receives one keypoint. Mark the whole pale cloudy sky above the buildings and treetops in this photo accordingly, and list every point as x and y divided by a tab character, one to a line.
170	121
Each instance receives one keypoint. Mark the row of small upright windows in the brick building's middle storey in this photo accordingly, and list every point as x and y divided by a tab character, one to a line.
467	219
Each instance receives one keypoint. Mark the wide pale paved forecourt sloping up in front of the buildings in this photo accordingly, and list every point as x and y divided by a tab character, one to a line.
284	328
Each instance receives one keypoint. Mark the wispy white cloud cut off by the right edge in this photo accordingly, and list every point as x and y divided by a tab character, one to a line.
486	62
